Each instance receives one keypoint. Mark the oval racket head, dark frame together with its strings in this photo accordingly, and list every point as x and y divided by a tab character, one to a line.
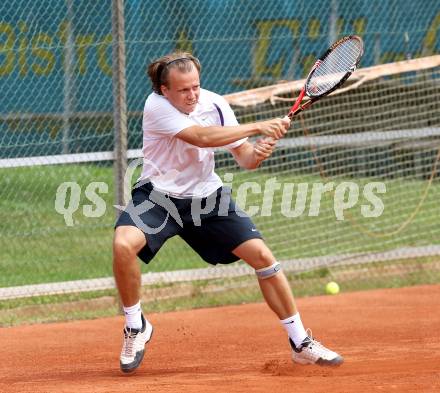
334	67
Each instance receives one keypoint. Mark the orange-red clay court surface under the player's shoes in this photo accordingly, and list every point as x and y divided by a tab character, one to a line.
389	338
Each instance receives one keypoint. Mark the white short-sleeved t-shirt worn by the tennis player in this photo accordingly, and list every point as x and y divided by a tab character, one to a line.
174	166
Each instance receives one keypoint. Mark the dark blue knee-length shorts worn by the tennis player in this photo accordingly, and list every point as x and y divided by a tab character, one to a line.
212	226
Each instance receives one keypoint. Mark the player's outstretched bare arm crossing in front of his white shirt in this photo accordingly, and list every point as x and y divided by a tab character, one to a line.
216	136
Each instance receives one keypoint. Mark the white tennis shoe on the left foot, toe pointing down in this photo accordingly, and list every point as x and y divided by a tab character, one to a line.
133	347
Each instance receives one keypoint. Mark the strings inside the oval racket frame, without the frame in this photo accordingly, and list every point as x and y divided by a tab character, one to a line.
334	67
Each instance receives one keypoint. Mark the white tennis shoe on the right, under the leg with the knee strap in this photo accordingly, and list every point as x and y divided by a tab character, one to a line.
313	352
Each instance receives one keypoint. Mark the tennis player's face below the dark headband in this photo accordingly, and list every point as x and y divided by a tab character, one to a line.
183	89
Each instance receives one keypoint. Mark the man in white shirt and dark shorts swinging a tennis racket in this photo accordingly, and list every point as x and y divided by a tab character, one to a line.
178	193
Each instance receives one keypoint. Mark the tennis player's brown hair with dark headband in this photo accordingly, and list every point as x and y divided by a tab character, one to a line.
159	69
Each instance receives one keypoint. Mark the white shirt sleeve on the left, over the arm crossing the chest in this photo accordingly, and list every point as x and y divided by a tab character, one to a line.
160	117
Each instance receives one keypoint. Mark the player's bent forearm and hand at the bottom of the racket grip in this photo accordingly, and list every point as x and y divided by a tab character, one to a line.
250	156
